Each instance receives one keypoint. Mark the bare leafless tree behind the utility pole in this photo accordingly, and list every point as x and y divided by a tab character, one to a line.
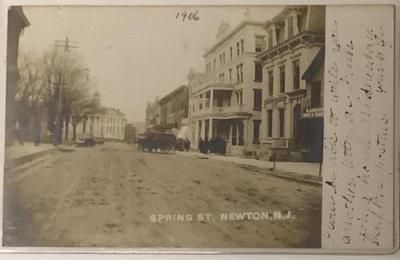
66	73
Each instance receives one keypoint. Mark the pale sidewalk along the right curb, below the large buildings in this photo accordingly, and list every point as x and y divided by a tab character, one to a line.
305	171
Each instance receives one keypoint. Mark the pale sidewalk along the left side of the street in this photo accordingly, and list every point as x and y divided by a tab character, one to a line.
17	155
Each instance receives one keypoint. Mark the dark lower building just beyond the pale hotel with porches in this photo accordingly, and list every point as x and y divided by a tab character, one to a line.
174	108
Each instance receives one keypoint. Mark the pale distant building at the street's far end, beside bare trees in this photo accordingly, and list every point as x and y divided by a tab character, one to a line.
108	123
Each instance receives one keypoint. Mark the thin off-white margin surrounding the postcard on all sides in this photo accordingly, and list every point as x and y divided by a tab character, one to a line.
93	251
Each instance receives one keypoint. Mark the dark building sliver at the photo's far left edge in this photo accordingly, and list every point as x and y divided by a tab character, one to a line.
17	21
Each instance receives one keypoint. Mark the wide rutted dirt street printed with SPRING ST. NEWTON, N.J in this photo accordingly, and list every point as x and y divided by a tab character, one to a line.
113	196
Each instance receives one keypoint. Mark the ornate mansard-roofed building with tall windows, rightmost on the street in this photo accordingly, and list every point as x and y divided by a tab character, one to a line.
293	65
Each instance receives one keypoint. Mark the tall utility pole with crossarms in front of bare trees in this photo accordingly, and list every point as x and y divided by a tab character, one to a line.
67	45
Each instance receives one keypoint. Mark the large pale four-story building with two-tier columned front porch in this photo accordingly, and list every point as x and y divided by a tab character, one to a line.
225	101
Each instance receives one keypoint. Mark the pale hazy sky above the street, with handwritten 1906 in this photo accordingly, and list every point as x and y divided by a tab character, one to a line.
134	53
